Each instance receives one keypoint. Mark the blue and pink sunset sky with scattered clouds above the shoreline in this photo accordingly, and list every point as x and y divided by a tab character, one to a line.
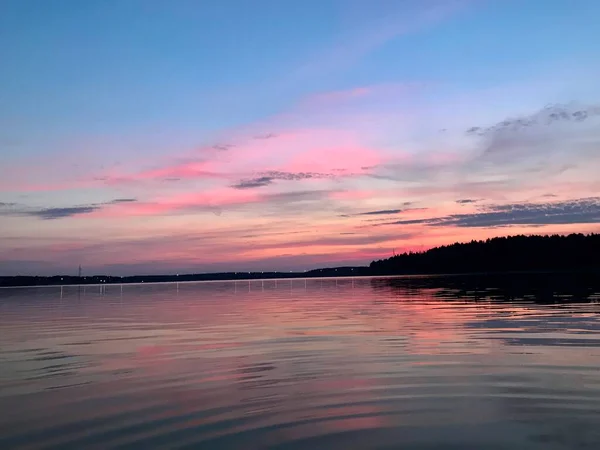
146	136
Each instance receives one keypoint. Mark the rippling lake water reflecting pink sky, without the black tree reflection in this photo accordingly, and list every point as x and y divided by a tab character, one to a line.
415	363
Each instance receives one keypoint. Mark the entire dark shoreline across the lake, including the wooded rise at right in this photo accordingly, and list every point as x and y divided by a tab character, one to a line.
515	254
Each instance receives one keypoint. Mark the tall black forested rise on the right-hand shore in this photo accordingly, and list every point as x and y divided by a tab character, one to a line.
514	253
